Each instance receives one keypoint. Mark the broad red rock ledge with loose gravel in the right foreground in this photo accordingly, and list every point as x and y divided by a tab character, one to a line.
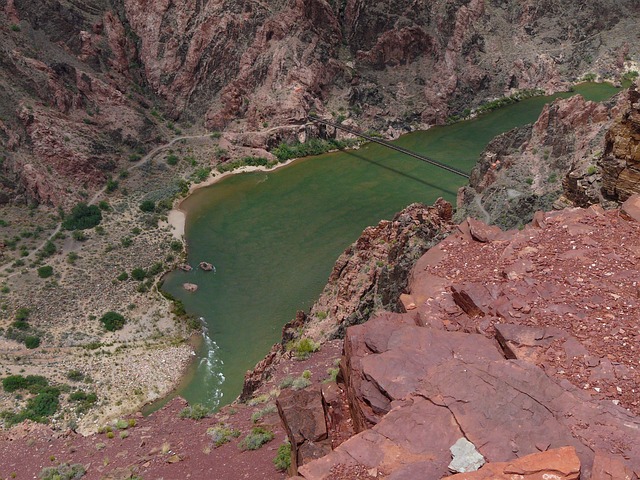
556	378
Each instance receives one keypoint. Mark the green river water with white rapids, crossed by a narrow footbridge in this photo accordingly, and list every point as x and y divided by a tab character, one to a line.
274	237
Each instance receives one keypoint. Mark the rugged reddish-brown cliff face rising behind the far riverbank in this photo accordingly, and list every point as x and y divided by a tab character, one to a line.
80	78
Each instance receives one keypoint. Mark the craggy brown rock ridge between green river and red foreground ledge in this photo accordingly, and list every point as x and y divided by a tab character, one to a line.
372	272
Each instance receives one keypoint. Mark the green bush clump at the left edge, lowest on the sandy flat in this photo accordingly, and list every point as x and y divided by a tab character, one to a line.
40	407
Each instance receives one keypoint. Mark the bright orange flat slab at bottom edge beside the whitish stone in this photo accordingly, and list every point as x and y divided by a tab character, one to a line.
556	464
